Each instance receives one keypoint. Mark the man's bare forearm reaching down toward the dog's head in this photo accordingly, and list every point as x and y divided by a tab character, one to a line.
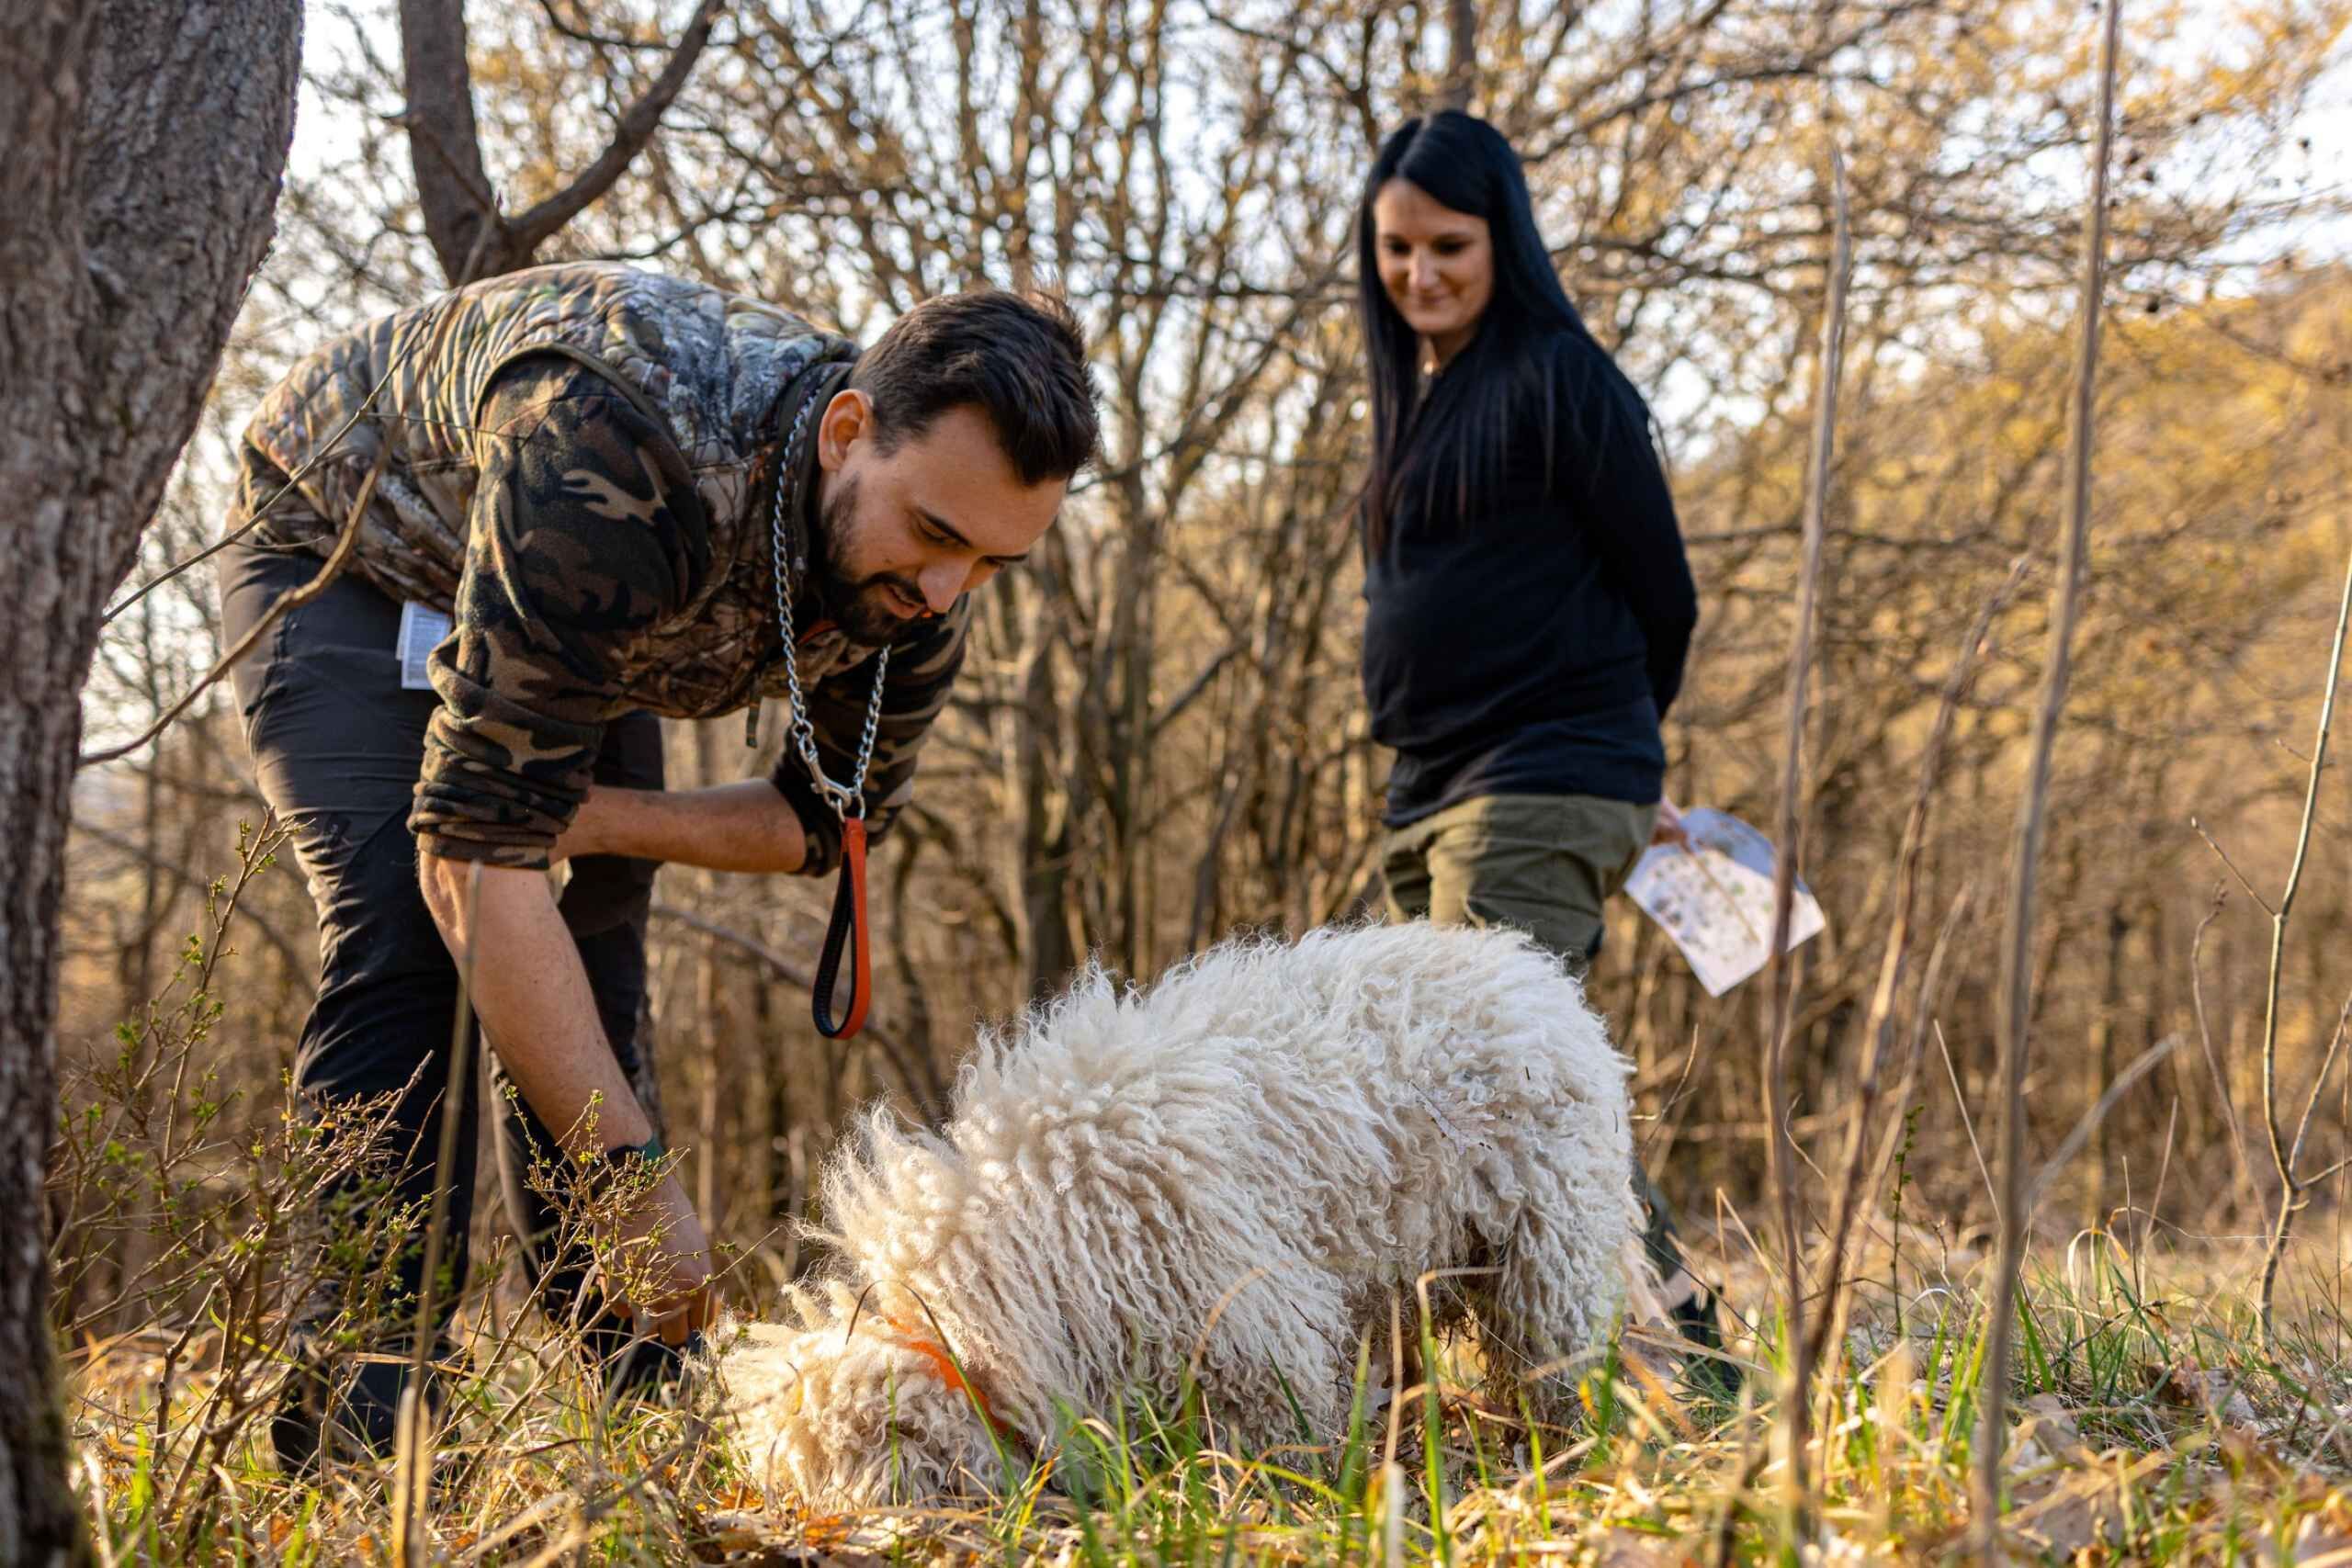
533	996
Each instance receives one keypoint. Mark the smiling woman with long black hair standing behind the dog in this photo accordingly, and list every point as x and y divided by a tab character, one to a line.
1528	596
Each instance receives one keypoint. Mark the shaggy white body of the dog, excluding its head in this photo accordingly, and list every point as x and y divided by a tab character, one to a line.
1229	1170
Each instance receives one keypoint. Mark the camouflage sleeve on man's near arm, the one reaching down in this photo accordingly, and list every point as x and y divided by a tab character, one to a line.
584	537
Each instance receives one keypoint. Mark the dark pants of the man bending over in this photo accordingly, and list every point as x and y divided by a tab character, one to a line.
338	746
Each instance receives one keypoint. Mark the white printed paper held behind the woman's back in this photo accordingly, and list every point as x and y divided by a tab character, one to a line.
1716	899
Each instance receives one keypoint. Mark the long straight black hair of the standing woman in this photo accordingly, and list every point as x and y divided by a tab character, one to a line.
1530	342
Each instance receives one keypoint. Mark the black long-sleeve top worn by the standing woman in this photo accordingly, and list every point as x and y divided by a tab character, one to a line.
1532	648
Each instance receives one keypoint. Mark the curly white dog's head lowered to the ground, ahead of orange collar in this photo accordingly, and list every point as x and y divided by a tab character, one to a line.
862	1412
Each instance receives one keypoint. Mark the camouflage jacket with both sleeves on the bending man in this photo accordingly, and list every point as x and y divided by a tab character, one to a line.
584	467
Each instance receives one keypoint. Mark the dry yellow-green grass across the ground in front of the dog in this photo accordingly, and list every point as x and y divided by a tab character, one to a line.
2156	1430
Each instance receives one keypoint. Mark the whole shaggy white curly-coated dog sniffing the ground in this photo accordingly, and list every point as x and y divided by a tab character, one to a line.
1215	1184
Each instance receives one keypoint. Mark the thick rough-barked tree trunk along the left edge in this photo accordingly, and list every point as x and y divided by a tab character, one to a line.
147	145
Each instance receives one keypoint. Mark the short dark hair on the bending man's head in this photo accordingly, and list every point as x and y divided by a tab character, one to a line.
1022	359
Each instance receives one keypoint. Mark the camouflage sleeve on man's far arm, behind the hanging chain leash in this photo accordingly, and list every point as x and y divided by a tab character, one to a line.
921	671
